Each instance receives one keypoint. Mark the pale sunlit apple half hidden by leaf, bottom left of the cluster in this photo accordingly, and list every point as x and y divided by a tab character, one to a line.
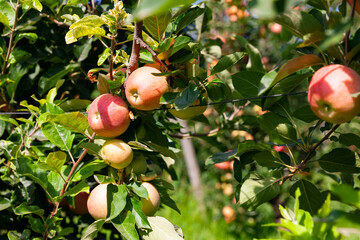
97	202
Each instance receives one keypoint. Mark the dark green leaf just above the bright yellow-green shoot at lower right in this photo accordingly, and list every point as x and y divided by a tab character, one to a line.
311	199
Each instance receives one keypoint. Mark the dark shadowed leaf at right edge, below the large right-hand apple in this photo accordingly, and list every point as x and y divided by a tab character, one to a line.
339	160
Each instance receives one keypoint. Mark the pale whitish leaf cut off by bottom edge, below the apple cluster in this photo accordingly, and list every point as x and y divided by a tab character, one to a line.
161	229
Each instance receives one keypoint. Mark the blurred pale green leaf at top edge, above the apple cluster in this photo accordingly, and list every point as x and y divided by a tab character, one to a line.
149	7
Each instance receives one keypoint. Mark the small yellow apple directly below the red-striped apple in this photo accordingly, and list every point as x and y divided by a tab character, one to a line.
116	153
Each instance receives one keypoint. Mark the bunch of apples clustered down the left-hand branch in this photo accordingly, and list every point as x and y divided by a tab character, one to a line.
109	117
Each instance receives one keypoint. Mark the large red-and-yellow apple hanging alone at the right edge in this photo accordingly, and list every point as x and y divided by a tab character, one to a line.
330	92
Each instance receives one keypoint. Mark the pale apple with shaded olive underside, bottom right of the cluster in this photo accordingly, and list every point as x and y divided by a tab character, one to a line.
150	205
